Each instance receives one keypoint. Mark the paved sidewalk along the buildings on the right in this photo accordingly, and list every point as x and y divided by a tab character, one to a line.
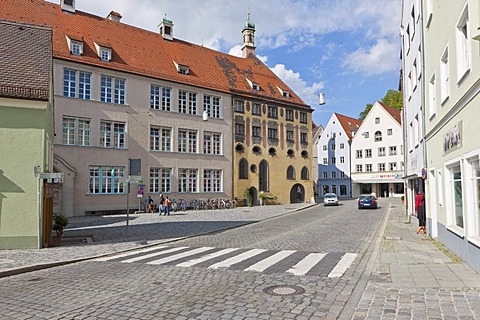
415	277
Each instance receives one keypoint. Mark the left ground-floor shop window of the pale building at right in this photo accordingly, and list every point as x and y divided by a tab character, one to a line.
456	195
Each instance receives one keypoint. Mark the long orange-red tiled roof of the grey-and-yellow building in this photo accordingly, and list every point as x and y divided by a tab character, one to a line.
139	51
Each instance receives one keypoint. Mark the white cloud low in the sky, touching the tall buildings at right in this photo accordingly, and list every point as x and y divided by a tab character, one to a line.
376	59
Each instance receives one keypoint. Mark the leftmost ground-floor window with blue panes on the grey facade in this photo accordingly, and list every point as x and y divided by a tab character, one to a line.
105	179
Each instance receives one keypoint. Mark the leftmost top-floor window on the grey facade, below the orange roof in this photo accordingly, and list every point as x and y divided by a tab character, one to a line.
76	84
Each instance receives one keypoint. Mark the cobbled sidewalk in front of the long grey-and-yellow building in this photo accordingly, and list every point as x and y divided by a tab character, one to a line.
93	236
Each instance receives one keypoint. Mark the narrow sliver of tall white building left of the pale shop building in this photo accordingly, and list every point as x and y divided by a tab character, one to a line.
413	101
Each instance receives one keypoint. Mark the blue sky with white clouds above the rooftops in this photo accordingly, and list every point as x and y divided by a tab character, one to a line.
347	49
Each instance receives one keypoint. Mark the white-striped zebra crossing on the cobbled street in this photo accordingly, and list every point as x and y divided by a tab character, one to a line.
292	262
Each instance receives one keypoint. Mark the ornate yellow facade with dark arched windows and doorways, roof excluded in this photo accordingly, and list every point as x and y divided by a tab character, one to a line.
272	151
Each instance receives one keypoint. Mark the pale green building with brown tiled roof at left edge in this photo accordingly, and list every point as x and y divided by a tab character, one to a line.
26	135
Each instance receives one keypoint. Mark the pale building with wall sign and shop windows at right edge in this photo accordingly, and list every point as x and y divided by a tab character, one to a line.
452	99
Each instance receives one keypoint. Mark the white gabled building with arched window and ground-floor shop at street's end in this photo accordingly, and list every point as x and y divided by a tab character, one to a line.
376	154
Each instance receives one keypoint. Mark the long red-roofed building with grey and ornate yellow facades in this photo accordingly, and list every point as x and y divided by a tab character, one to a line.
192	115
